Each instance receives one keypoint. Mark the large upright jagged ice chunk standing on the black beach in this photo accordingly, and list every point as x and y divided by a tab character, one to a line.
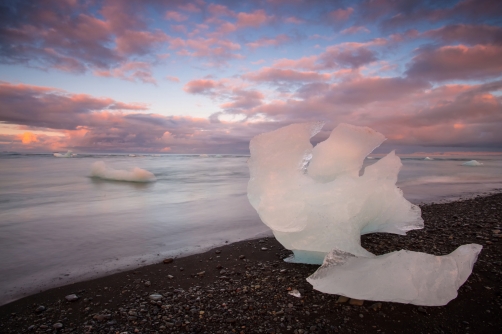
314	199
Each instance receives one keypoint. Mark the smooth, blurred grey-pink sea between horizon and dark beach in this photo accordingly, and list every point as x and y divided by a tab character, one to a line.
58	225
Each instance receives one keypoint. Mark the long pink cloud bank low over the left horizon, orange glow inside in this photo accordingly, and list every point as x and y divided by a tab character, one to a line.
86	123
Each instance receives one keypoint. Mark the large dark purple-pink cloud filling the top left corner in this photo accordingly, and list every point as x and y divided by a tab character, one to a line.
69	37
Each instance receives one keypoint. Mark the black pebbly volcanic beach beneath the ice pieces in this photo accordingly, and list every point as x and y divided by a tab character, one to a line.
241	288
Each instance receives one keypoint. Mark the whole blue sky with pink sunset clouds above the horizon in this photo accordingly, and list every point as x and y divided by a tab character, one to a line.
203	76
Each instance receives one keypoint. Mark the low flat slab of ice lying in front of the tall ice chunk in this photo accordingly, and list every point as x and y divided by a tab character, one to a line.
403	276
